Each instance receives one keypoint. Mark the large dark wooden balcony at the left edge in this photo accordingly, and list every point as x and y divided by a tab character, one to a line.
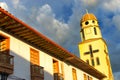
6	63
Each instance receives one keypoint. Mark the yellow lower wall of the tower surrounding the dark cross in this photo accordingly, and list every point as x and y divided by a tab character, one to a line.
99	44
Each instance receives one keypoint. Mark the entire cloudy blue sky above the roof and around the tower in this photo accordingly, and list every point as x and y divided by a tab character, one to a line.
59	20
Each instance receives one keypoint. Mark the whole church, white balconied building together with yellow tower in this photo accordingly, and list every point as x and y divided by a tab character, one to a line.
26	54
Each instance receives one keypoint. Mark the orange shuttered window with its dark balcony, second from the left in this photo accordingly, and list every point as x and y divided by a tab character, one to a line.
35	68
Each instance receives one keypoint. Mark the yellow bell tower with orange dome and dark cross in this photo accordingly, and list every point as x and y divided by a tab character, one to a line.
93	48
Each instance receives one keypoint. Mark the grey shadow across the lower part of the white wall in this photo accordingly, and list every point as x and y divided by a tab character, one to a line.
22	69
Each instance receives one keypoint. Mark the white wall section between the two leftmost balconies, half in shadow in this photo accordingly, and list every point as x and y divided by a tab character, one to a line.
20	51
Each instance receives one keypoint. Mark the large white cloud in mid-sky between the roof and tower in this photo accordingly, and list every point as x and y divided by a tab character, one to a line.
57	29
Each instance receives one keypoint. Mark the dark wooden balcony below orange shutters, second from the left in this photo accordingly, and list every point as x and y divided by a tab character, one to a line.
37	72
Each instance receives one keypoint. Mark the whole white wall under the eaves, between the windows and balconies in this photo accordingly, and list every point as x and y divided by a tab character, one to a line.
21	53
